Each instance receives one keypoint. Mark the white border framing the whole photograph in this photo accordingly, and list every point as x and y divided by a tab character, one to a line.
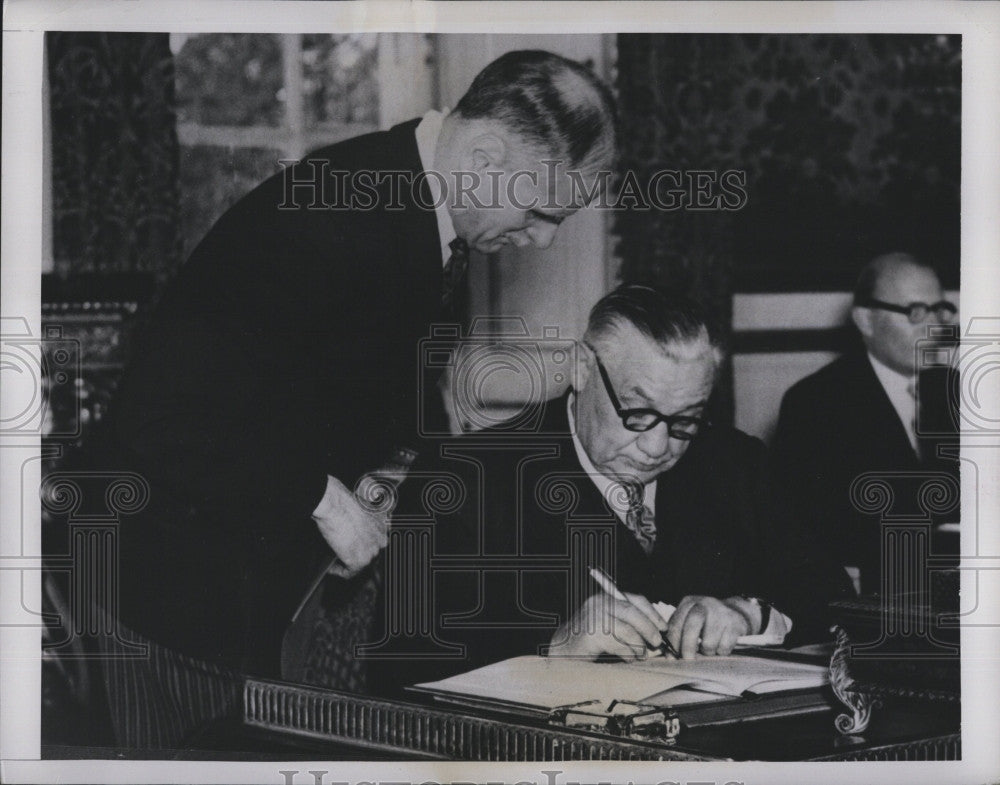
25	22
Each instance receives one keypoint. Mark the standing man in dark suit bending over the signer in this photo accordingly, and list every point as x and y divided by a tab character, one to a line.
281	365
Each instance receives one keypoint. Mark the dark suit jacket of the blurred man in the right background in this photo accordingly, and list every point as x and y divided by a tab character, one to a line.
838	424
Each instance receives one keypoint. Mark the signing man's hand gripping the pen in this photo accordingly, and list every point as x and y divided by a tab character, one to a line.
604	625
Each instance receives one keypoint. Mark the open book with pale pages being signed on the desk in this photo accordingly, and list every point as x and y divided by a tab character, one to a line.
544	683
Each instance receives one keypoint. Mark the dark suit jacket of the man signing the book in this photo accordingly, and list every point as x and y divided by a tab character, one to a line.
525	493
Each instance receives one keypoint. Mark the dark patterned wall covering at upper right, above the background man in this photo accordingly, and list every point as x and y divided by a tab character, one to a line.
850	144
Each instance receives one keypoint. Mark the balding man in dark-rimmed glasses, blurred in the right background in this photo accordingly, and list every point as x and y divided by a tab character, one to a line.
859	414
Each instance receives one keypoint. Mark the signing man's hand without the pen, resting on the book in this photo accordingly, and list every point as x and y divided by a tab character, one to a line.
709	625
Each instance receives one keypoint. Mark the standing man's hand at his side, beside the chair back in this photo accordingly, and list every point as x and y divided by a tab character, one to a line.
354	533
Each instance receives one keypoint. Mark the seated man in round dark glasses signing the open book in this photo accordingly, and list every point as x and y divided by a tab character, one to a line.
623	473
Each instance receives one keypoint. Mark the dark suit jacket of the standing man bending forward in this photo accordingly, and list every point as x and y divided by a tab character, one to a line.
286	349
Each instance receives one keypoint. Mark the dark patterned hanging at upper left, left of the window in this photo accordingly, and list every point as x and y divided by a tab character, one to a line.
114	153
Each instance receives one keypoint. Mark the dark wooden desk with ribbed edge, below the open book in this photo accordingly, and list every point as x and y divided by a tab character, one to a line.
316	721
